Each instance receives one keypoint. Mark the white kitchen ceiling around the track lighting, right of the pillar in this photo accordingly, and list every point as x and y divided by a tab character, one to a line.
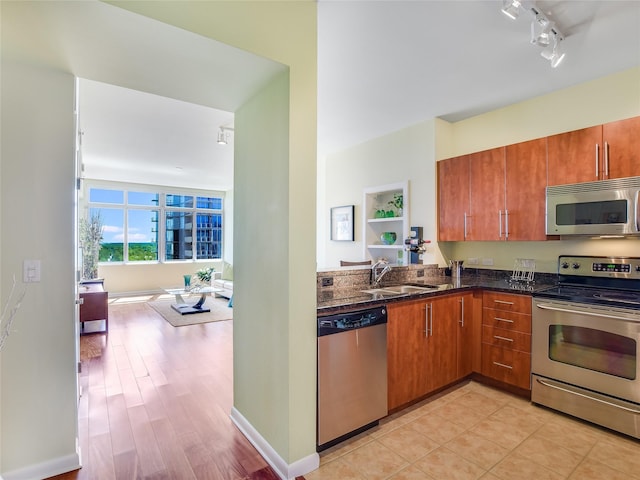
385	65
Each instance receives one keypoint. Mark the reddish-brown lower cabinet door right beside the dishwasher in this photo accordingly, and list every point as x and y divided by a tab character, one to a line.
406	352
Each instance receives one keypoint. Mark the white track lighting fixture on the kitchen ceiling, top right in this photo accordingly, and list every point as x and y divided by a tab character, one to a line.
543	31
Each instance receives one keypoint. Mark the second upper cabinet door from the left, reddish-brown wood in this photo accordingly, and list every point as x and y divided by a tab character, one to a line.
486	197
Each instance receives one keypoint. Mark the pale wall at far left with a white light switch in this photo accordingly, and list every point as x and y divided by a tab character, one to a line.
38	376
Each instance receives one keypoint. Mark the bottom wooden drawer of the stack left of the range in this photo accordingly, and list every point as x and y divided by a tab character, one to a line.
506	365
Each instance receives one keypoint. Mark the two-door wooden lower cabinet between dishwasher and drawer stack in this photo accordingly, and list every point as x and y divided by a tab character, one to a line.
427	345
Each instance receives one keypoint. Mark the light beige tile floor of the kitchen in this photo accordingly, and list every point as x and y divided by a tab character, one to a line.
477	432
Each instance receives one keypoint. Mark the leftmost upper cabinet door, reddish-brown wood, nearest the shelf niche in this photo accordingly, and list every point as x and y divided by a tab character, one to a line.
453	198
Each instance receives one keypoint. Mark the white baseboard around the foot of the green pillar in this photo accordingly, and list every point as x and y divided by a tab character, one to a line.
283	469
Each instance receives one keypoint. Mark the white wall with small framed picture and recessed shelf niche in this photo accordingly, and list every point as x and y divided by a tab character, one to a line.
407	154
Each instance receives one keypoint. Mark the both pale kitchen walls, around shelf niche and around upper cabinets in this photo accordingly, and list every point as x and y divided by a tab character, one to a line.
411	154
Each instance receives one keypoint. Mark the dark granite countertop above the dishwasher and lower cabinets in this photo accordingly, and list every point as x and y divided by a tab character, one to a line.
351	298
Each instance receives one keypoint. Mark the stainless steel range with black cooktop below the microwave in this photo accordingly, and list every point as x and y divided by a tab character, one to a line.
585	336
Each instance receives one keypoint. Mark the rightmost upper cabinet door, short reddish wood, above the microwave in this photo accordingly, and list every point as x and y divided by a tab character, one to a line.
621	148
